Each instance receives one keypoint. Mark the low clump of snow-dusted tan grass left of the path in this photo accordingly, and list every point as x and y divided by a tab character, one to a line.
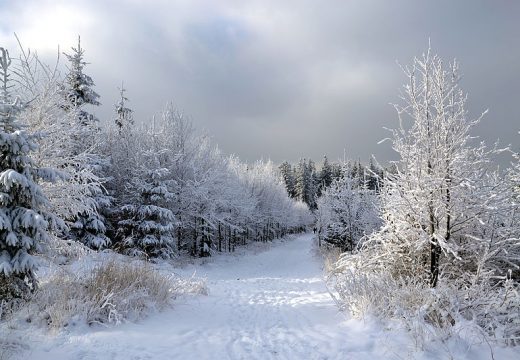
109	294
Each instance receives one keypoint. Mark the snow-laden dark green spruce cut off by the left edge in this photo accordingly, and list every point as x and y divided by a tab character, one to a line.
23	218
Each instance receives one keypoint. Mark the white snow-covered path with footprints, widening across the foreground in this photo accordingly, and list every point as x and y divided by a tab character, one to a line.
271	304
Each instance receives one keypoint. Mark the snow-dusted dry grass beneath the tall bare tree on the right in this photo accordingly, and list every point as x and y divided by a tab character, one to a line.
483	313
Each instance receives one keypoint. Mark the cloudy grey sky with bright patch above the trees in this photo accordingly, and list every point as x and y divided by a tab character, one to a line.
282	79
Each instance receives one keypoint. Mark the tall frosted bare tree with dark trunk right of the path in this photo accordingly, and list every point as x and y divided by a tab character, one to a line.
443	187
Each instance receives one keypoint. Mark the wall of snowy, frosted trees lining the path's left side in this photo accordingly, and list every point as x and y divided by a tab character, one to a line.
151	189
